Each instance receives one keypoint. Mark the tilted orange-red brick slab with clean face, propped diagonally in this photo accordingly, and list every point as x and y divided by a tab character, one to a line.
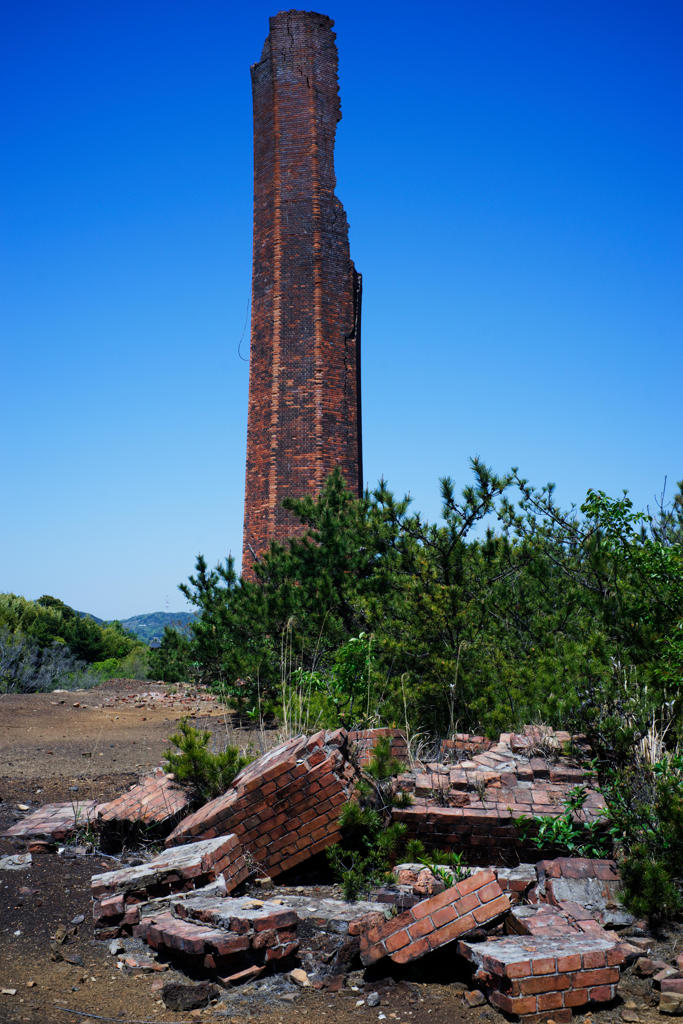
437	921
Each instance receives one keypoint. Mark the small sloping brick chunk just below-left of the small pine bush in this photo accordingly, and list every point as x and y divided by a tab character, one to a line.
153	802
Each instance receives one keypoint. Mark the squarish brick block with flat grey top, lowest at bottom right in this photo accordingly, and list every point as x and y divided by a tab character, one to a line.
537	978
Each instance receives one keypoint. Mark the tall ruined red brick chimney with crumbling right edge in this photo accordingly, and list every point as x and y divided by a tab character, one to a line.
305	377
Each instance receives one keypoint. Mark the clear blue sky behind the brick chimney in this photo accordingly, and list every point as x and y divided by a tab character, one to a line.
514	177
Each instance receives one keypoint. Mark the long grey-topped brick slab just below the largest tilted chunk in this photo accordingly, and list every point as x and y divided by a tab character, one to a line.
119	897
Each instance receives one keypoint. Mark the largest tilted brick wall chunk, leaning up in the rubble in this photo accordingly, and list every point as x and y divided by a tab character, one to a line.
285	807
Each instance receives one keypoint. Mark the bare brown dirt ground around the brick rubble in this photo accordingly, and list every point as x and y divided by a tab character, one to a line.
94	745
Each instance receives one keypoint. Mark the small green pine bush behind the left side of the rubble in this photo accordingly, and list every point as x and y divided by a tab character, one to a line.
208	775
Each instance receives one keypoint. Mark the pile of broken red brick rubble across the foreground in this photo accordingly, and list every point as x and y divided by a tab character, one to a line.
537	940
